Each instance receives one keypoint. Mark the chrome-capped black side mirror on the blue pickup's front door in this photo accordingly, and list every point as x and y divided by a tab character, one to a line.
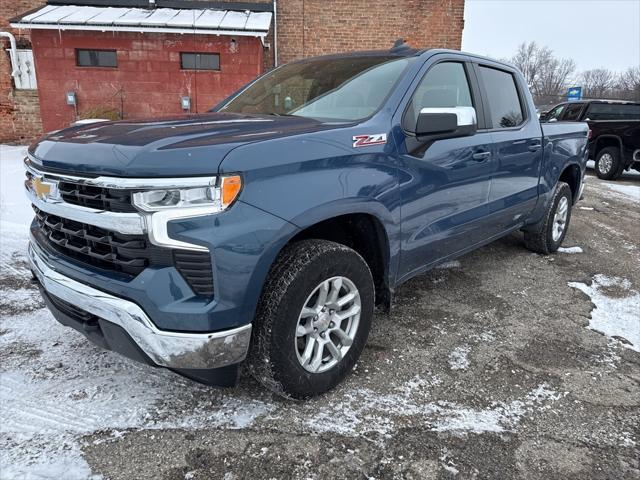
447	122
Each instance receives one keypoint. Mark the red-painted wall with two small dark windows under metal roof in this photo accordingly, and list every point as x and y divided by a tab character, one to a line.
148	80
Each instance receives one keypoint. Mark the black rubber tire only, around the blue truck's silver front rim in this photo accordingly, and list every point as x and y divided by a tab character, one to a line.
298	270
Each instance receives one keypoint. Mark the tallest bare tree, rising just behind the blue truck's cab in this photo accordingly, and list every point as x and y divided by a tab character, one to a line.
547	76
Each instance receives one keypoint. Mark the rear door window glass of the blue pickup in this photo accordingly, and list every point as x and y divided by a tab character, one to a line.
503	98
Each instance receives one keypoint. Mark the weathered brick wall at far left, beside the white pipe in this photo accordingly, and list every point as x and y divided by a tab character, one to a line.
19	109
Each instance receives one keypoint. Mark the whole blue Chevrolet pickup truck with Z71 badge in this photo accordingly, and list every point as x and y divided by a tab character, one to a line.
265	232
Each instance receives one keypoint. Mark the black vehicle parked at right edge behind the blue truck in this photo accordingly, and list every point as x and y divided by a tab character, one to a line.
614	132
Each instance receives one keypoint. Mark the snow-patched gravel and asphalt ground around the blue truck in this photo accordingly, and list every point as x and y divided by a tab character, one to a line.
503	364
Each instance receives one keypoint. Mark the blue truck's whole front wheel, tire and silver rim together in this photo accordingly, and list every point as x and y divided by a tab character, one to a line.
313	318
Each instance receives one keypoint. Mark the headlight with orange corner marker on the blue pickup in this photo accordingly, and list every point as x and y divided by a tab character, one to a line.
211	198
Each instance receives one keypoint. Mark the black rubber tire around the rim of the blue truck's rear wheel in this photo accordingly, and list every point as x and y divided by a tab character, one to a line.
539	237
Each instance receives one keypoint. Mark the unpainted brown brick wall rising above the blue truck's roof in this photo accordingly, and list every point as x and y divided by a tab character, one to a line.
316	27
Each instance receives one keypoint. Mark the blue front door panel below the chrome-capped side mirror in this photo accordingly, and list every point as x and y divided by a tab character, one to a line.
444	199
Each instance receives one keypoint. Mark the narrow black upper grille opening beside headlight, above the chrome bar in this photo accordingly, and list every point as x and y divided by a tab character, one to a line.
100	198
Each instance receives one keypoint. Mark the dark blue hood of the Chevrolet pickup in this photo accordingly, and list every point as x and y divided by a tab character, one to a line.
187	145
